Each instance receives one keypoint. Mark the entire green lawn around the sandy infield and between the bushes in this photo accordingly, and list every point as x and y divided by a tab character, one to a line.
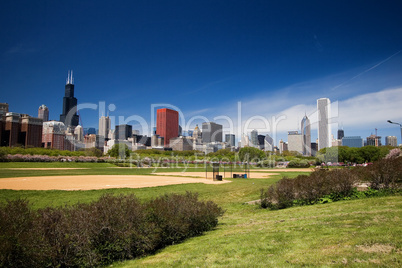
356	233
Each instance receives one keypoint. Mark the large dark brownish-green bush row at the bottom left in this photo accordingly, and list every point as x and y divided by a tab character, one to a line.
111	229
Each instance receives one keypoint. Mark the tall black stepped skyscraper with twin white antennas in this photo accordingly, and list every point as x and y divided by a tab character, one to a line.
69	115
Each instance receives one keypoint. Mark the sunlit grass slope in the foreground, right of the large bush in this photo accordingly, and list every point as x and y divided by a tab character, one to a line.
360	232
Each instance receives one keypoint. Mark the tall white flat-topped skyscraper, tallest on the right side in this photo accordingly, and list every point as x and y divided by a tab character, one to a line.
324	128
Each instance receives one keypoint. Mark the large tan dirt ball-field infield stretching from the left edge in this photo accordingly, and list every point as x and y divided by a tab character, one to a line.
94	182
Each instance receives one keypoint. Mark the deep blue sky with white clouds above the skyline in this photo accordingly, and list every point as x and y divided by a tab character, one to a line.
204	57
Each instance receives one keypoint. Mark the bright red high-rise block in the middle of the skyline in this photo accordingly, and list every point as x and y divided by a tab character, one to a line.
167	124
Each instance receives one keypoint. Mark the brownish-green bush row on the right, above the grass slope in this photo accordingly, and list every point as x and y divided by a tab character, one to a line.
336	184
